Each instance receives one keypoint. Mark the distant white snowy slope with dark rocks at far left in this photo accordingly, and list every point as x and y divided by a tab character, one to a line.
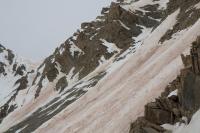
15	76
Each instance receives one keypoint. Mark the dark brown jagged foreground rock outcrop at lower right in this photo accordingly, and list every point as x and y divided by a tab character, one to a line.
170	109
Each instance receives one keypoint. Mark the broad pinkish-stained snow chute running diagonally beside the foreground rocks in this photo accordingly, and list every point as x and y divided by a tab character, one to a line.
119	98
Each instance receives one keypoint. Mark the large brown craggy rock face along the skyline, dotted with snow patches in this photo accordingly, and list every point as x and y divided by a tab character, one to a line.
115	25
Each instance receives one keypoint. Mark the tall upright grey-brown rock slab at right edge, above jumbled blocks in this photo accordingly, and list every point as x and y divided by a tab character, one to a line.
190	90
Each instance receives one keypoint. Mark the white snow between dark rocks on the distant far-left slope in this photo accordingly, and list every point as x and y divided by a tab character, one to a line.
8	80
